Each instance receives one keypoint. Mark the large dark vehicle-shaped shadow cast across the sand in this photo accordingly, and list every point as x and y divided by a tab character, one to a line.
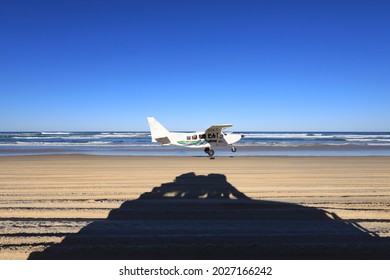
205	217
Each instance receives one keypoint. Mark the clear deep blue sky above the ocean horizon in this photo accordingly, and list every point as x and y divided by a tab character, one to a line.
267	65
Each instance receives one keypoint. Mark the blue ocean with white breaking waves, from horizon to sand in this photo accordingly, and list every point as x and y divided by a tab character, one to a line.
138	143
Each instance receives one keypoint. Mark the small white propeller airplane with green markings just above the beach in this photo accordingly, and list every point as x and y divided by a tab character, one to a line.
211	137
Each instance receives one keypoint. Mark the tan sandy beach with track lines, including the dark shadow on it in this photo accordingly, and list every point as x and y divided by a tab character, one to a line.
75	206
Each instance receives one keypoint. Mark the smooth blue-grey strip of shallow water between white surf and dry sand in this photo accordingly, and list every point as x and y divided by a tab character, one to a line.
242	151
